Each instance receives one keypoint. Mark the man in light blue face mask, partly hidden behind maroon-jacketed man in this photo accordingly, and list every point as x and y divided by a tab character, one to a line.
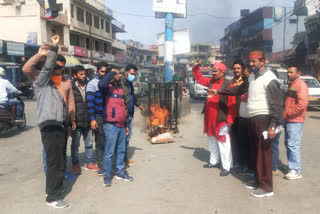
130	75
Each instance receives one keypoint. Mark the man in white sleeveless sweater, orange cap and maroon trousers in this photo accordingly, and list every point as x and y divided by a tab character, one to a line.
265	110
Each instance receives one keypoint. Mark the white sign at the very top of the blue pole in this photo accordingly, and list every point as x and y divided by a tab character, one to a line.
177	7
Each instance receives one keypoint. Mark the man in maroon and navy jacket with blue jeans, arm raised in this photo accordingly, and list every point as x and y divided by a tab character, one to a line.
115	126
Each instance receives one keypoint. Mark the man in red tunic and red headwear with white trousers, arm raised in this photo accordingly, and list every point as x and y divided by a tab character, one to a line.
219	113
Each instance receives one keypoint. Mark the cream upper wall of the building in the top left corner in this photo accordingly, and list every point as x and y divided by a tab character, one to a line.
15	23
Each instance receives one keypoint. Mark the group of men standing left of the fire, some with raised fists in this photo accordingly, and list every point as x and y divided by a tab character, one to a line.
102	109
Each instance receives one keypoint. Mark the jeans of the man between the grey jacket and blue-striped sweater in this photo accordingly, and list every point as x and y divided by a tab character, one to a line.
75	143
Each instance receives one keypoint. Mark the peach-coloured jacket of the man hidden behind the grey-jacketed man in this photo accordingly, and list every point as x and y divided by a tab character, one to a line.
65	85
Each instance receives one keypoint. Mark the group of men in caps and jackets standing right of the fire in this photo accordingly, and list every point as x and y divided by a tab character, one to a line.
250	109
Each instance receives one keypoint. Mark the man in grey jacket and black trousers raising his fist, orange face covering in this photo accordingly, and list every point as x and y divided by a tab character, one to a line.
53	121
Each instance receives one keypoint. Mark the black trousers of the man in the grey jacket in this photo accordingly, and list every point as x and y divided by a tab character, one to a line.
53	139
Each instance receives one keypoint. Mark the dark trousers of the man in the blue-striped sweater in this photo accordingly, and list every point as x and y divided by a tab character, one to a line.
99	139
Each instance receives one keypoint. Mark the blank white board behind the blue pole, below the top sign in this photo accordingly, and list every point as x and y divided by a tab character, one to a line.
181	42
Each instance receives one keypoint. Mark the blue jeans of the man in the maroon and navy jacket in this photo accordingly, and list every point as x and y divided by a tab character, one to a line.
115	144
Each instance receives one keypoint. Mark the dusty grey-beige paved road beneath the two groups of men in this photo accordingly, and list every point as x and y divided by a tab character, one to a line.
169	178
